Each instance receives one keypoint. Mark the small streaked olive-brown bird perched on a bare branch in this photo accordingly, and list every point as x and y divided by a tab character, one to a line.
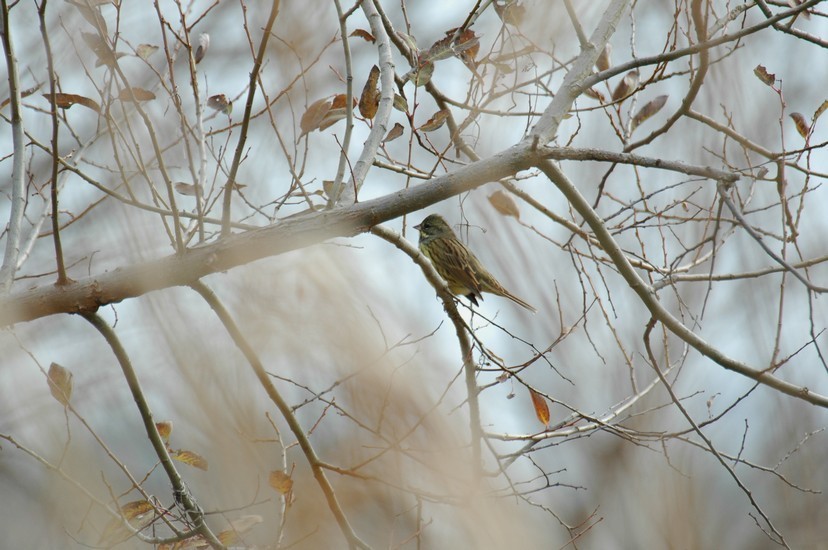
455	263
